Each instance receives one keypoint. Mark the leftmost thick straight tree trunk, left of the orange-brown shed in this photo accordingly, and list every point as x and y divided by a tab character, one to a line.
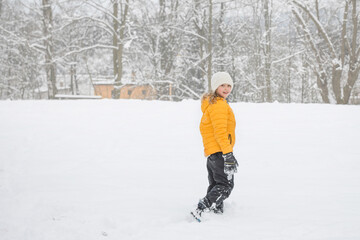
48	43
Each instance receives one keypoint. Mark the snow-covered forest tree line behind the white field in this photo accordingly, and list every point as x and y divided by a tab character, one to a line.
303	51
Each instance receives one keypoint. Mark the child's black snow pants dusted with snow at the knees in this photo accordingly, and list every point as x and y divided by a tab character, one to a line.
219	186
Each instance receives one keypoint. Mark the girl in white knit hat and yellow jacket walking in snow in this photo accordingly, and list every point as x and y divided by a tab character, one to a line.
217	129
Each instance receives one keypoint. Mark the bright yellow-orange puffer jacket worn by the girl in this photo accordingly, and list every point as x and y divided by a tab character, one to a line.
217	127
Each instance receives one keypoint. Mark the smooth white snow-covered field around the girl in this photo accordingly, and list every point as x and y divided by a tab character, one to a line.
104	169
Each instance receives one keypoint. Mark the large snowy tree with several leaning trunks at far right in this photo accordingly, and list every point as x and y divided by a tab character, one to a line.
333	47
